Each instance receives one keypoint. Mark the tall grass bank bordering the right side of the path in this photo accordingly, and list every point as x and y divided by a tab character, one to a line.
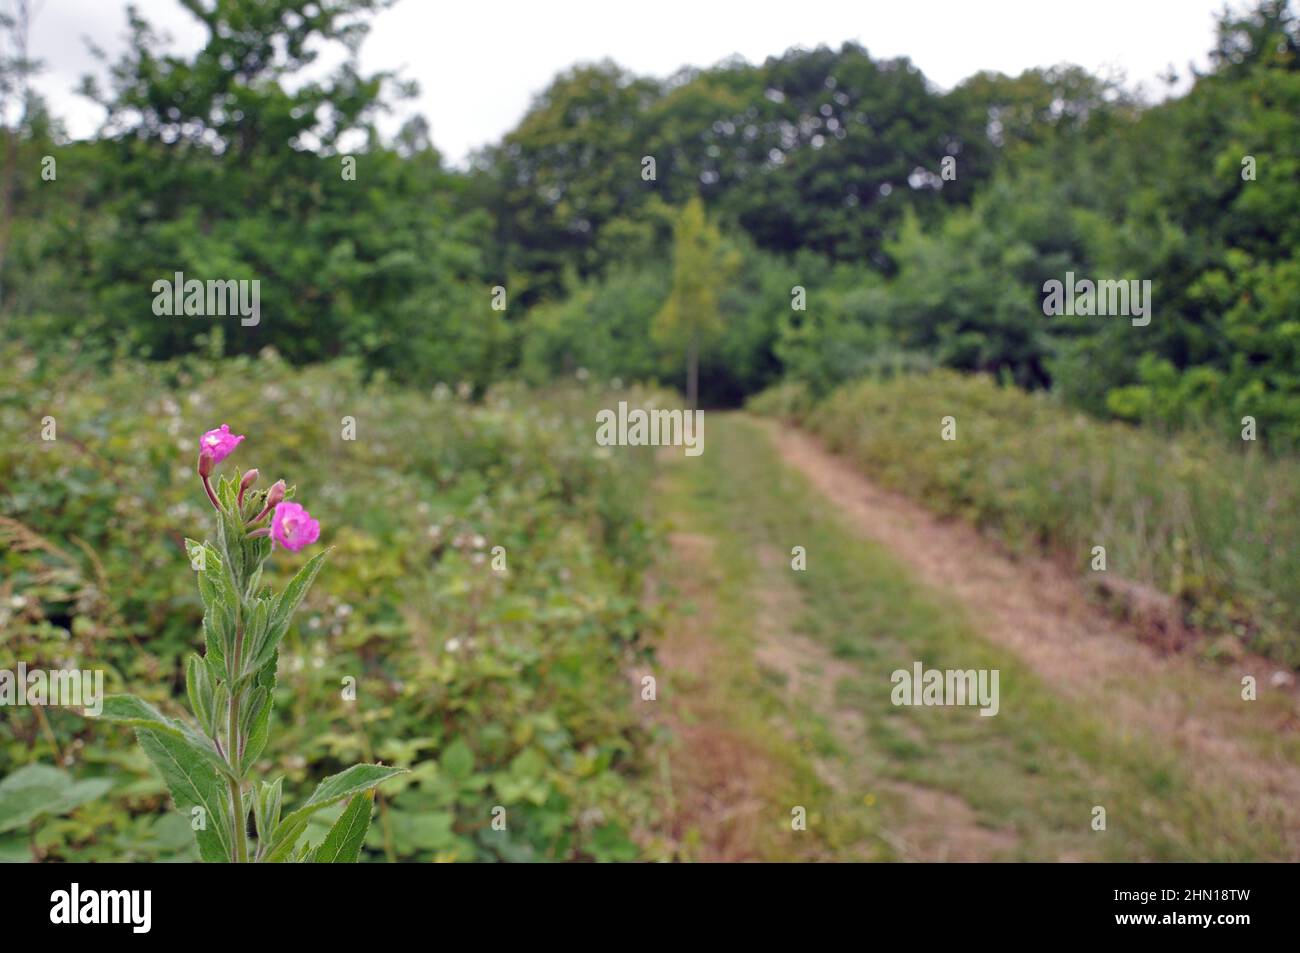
1214	526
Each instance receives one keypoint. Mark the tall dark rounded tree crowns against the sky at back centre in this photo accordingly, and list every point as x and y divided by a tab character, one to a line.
820	150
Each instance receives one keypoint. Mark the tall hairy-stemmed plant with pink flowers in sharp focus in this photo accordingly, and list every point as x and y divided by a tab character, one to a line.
232	686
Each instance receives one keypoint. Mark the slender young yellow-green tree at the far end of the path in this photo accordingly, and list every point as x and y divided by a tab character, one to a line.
701	267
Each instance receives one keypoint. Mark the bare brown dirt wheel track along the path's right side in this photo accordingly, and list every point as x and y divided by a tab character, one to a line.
1038	610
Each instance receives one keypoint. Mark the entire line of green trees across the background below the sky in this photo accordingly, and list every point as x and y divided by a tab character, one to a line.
921	226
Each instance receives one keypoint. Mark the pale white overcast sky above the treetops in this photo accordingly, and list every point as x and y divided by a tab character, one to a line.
479	63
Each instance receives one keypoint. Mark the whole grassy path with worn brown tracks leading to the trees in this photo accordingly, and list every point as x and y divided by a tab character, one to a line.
775	687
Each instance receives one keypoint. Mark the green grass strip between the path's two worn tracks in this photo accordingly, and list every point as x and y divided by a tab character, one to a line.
1035	770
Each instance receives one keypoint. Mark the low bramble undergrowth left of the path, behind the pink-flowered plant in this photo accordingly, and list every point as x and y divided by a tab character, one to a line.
492	688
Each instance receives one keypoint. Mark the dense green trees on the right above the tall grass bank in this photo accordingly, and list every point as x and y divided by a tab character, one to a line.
1160	194
